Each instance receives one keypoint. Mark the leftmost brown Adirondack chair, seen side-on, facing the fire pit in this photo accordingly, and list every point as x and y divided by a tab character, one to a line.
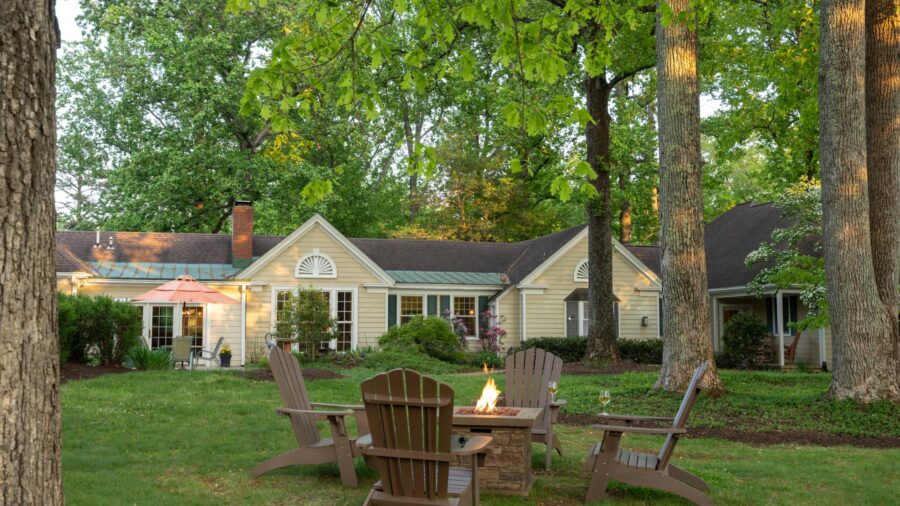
313	449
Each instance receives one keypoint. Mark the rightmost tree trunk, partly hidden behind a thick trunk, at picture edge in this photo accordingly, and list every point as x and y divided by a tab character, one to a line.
883	151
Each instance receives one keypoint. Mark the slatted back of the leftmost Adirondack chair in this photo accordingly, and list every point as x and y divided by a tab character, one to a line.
289	378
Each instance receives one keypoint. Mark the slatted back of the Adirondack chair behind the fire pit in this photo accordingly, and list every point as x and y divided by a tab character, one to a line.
528	373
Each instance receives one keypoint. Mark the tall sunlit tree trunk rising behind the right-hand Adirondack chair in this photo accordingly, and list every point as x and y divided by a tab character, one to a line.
687	315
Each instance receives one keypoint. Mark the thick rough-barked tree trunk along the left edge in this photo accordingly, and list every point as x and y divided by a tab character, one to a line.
29	355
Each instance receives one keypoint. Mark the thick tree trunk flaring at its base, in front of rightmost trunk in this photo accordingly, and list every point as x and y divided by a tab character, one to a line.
860	327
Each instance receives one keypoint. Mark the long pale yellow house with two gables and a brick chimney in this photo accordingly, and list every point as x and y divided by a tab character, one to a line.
534	288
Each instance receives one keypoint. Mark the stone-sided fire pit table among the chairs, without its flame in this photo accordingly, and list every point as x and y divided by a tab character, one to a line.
507	462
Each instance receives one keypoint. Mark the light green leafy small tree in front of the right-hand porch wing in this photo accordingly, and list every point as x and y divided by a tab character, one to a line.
792	257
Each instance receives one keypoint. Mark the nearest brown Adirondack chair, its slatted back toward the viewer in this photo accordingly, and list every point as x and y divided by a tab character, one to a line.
411	418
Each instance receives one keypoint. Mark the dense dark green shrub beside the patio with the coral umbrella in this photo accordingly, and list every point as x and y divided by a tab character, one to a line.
97	329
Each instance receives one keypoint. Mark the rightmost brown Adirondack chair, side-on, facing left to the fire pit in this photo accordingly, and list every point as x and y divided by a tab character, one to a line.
607	461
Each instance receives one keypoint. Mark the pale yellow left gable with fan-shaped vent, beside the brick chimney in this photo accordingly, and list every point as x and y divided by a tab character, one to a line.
320	253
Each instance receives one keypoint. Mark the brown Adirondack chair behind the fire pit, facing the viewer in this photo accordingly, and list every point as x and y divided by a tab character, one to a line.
528	373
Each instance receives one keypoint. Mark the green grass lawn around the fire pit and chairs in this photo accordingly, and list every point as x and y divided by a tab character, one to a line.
192	438
